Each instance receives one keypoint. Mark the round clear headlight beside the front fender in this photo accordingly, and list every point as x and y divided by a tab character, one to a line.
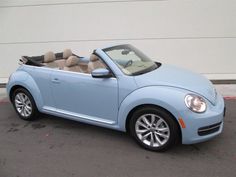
195	103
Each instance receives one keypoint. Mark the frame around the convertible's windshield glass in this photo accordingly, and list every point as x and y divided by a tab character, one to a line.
139	54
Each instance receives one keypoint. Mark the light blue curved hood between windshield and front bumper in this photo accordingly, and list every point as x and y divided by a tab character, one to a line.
171	76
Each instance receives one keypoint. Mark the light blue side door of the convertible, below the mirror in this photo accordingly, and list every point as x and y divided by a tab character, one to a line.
84	97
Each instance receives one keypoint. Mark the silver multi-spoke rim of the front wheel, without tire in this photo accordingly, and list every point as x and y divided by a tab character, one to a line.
152	130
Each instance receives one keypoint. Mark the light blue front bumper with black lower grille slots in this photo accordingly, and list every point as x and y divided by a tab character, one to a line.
202	127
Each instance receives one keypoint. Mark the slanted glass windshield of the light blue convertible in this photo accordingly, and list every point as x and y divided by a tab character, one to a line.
130	60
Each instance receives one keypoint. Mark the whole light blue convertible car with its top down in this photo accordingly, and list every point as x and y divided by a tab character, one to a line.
120	88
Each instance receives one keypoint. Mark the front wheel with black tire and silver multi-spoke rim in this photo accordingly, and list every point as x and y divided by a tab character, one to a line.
154	128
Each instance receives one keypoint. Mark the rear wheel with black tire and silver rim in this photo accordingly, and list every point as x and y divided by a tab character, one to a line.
24	104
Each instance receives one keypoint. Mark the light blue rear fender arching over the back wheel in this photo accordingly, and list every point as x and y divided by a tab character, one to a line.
23	79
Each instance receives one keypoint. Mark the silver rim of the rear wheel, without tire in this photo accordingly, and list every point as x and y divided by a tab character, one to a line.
23	104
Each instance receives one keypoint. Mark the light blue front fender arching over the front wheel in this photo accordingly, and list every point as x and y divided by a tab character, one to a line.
169	98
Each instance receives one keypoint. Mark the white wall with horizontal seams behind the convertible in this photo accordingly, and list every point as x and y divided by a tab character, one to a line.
195	34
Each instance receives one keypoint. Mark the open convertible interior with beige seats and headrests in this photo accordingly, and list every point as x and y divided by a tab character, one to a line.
66	61
